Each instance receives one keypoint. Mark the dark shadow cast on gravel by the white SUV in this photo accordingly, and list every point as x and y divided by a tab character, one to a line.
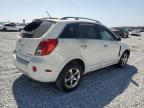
96	90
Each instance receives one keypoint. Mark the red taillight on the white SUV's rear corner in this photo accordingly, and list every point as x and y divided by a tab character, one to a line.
45	47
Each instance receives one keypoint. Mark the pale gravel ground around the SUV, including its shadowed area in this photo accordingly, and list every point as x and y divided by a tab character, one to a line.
109	87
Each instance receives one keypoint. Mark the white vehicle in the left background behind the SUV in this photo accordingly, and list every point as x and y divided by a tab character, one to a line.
10	27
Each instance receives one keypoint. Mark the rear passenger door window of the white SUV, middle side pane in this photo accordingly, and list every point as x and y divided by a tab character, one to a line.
88	31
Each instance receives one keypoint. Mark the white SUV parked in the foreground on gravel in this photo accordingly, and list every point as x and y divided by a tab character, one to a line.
63	50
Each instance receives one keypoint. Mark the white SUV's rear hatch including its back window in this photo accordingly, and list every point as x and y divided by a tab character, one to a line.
30	37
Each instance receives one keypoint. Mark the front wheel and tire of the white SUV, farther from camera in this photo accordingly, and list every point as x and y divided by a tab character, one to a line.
123	60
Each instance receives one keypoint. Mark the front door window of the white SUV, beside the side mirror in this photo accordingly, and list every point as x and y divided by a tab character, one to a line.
106	35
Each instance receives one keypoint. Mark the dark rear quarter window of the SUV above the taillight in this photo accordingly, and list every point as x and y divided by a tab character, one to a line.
70	31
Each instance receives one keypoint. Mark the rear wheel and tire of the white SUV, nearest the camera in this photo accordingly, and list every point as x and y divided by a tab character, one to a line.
70	77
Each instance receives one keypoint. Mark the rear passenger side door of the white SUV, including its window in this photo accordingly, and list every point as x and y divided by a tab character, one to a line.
90	45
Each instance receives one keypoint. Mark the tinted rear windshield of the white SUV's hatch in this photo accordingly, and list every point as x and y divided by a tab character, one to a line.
36	29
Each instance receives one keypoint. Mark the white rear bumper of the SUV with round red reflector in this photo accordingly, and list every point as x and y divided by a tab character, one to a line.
40	75
